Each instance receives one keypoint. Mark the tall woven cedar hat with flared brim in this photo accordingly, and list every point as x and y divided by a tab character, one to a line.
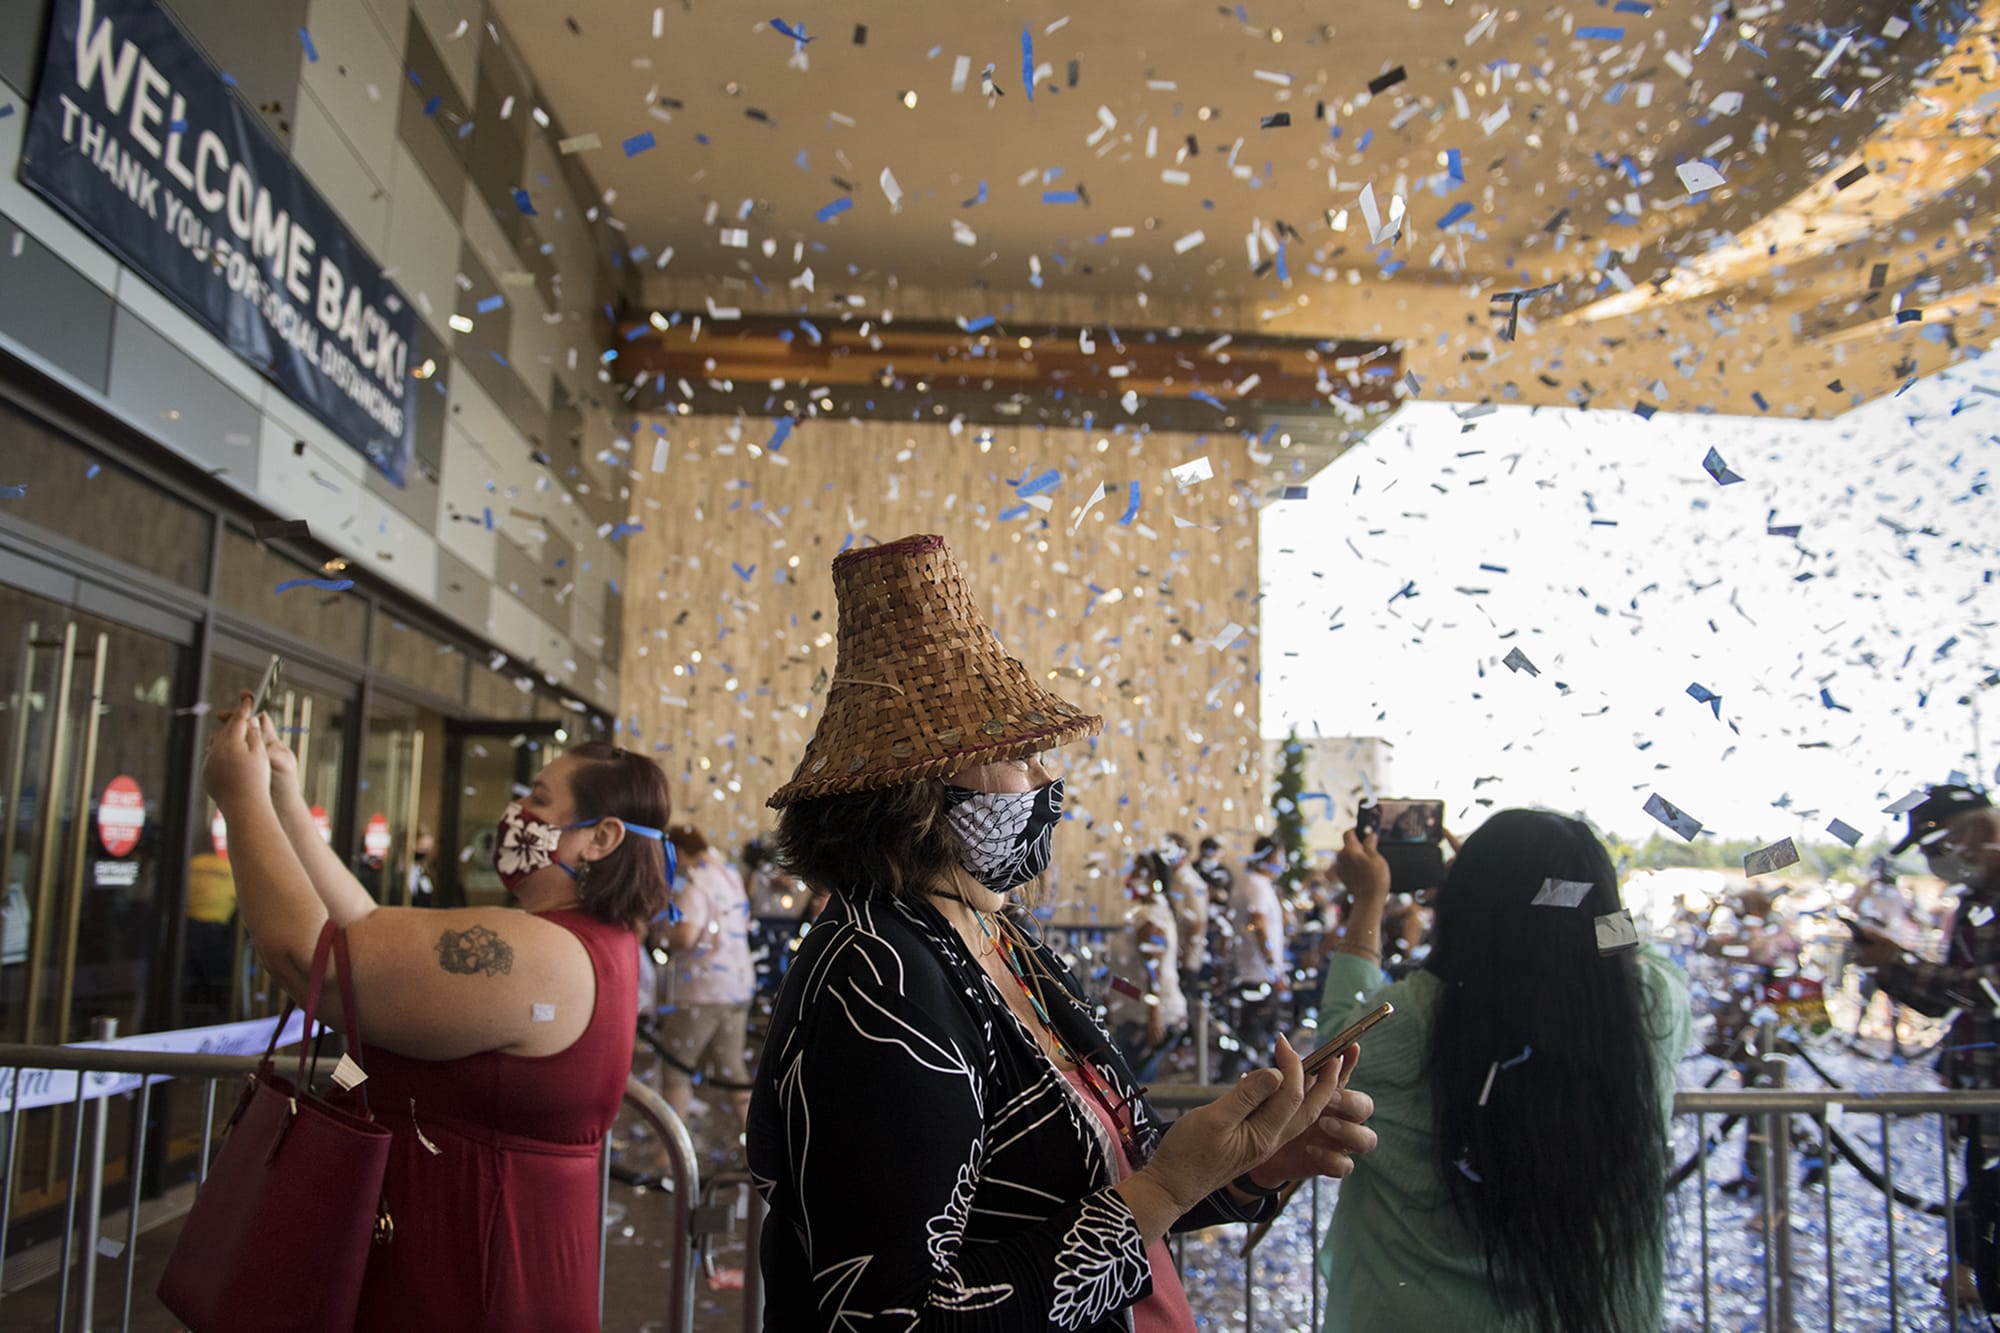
921	686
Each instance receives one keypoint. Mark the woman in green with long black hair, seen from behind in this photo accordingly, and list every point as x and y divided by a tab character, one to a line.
1523	1096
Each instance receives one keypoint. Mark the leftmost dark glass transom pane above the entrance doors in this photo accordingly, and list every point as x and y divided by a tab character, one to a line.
89	499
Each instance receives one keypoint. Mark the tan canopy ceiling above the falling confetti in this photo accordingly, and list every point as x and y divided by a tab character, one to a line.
1153	179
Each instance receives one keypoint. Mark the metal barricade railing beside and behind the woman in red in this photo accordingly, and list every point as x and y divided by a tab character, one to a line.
79	1248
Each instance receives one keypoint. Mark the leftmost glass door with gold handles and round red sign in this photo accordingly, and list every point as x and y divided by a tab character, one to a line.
91	836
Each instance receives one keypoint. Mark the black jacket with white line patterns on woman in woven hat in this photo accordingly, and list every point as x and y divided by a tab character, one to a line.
923	1160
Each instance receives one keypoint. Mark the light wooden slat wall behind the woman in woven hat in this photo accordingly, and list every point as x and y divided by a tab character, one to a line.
711	573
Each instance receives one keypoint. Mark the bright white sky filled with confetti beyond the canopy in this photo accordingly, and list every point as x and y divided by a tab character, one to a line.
1691	589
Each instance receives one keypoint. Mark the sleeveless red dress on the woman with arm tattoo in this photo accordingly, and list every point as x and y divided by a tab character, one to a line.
497	1216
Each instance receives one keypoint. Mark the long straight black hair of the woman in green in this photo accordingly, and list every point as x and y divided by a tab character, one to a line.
1557	1164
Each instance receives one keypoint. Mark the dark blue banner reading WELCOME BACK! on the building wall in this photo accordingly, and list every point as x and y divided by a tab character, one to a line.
147	147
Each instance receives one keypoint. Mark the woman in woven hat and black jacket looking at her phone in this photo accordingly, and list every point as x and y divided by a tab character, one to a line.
943	1134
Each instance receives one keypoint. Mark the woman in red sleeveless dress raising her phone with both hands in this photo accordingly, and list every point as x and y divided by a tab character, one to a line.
497	1042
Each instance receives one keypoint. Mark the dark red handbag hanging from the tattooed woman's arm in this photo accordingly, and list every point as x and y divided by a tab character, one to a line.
279	1236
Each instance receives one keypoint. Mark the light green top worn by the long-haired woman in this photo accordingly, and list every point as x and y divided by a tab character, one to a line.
1397	1254
